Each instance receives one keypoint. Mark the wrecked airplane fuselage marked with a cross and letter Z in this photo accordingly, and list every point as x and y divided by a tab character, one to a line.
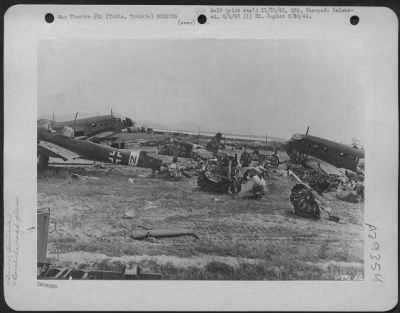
63	145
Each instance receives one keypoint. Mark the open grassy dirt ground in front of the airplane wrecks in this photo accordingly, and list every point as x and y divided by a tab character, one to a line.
239	239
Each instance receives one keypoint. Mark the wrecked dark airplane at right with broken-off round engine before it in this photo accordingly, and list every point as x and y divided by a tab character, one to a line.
331	166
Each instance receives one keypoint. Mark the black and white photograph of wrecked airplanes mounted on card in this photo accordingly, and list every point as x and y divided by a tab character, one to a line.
200	159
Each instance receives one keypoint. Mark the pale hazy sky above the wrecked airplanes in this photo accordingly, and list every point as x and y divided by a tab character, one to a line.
237	86
